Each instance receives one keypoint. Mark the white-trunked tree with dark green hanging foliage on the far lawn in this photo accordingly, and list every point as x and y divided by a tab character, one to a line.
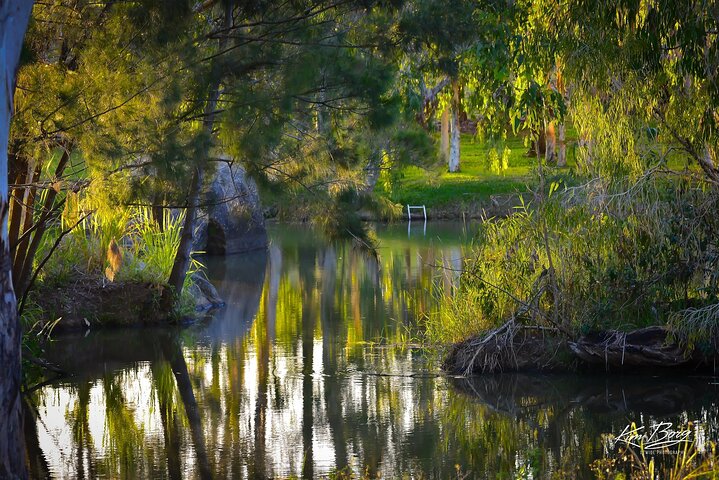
474	45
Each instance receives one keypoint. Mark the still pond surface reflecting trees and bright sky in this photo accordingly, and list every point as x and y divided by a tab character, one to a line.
296	377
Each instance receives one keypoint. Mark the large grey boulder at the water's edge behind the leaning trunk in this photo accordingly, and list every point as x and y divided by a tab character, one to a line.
233	220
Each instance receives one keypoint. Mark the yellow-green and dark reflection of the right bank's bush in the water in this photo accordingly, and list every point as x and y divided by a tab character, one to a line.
553	426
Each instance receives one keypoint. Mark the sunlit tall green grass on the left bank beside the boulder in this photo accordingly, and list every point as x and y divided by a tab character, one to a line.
121	245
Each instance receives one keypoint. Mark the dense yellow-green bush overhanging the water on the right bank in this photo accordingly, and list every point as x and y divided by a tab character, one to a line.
602	255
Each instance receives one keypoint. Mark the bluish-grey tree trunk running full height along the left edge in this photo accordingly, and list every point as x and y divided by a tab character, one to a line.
14	16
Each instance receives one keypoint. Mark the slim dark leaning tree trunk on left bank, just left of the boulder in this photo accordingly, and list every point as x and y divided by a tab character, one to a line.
184	250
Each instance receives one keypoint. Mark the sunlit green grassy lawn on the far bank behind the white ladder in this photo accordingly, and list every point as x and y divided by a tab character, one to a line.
475	182
